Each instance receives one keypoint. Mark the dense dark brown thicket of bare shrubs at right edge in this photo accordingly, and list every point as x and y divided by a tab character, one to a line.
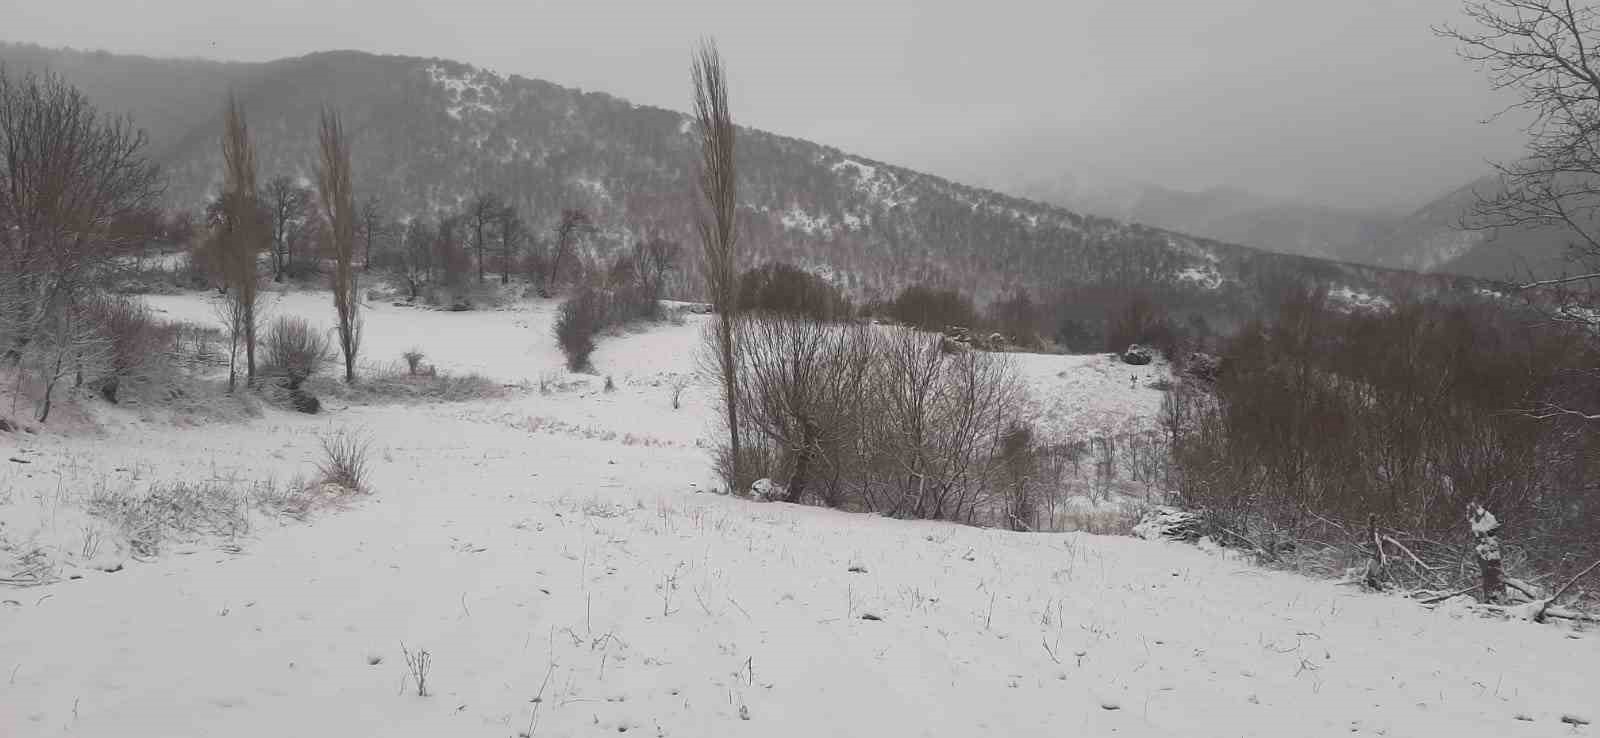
1343	428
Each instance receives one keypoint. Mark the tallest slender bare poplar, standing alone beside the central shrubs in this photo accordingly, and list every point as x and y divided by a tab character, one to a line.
718	223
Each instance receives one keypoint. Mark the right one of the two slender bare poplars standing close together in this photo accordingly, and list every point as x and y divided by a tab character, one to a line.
338	207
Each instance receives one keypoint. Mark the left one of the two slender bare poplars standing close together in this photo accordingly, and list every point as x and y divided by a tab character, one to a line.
241	233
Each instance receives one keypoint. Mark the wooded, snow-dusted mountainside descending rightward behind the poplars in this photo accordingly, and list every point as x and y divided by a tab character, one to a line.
430	134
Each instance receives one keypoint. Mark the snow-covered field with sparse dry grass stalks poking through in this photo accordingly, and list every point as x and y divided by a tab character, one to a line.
561	563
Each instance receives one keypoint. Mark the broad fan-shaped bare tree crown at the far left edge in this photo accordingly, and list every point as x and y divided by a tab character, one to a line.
66	175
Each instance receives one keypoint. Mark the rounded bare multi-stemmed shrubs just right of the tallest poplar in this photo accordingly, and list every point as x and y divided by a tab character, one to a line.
882	420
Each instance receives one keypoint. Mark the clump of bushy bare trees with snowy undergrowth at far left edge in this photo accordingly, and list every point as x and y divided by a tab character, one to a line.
71	178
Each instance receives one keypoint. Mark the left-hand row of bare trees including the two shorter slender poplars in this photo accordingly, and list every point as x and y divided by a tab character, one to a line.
79	209
